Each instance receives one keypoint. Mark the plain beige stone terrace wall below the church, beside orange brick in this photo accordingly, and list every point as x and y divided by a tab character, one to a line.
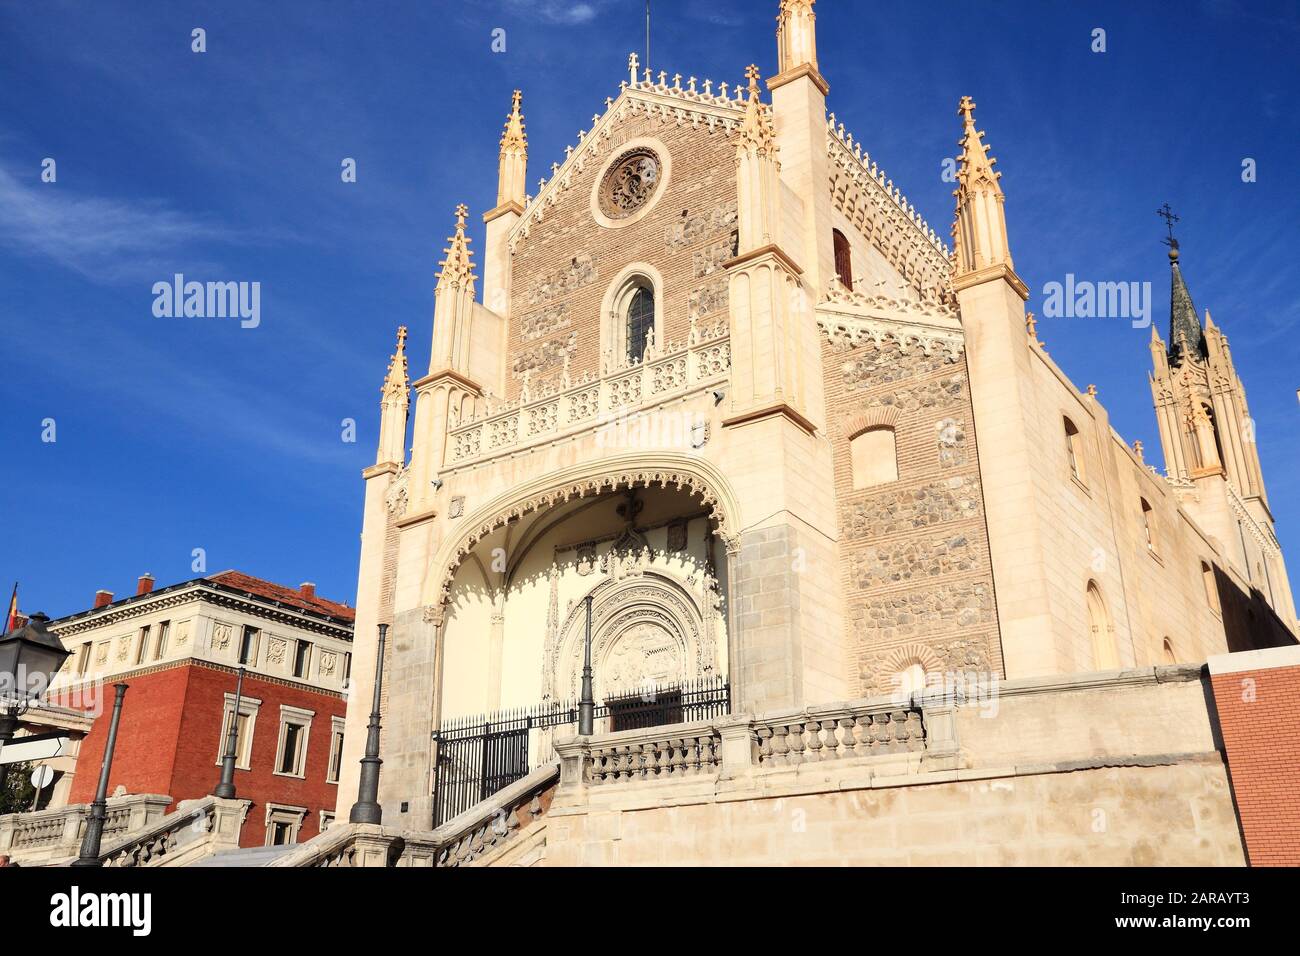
1097	769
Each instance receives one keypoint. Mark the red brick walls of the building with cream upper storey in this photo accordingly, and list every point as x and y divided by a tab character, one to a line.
171	736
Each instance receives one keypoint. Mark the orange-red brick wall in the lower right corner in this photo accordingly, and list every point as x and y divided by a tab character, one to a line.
1259	713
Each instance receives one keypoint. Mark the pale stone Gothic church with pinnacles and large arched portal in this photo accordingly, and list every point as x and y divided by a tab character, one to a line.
720	397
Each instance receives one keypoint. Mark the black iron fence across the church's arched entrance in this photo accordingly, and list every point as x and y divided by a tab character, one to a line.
478	756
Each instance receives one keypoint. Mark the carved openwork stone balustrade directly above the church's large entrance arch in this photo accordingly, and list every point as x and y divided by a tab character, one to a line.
666	375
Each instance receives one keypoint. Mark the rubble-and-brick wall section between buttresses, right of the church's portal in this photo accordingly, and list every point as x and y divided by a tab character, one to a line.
915	553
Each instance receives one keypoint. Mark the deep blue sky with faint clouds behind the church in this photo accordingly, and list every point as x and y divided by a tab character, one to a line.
184	434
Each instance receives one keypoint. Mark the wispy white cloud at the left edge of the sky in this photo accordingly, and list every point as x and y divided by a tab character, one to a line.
105	240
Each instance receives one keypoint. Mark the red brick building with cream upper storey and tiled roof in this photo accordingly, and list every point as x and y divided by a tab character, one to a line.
179	648
